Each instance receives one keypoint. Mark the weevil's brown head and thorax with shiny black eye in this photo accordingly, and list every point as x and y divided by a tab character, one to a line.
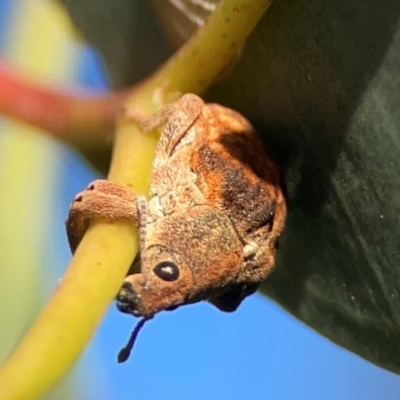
188	257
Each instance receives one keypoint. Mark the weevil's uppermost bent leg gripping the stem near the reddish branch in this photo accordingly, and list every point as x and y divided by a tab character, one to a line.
179	117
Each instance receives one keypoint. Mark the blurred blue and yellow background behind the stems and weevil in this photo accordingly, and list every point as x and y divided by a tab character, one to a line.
193	353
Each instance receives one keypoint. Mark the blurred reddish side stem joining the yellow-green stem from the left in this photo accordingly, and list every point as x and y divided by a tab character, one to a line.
83	121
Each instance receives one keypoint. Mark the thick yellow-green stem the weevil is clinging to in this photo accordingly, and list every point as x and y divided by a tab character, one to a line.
95	273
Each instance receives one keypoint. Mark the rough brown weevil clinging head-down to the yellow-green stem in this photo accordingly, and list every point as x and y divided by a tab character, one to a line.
215	214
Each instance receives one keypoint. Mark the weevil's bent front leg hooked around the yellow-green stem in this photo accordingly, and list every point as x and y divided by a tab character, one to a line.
101	199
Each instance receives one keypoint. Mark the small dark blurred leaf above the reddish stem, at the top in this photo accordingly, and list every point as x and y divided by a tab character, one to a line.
125	33
